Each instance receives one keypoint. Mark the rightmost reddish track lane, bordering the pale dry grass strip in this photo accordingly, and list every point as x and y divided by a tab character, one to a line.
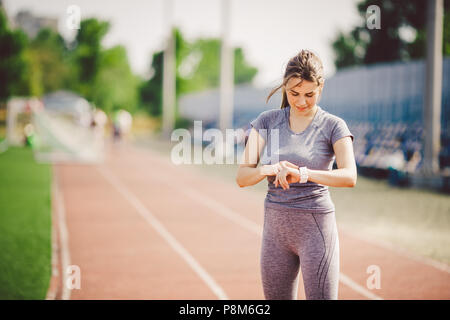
401	276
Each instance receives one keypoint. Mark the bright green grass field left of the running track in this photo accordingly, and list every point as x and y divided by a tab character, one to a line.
25	226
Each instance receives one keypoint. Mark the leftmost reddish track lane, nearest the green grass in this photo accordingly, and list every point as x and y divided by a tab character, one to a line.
120	257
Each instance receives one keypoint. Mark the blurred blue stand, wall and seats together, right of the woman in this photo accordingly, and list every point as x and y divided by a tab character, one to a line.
383	105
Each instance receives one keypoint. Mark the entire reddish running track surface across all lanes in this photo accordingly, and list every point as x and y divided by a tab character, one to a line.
229	252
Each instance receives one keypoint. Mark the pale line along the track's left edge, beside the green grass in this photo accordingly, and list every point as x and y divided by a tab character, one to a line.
64	237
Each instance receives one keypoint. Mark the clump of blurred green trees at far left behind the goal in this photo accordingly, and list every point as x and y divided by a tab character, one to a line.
45	64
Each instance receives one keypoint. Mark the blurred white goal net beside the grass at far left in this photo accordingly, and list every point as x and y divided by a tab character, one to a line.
55	135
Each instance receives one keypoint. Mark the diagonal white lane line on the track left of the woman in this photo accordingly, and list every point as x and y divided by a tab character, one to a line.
158	226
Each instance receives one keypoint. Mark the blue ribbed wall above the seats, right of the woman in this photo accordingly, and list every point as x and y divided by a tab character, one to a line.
384	93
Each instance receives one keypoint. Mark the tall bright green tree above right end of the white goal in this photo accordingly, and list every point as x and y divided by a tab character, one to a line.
103	76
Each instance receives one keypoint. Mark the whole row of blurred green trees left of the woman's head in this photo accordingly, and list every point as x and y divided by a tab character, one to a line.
48	63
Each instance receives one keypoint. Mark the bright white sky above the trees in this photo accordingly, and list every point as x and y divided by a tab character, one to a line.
269	31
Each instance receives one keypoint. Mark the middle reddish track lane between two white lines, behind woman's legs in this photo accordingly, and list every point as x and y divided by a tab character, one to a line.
190	181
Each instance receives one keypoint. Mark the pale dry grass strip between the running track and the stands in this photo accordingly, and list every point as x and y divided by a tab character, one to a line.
413	219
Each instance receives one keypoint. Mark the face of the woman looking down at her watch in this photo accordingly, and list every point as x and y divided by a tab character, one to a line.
302	95
